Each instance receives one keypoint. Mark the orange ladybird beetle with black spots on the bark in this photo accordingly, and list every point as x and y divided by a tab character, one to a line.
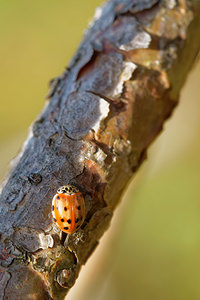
68	208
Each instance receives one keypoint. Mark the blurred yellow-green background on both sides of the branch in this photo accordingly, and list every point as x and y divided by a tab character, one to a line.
151	251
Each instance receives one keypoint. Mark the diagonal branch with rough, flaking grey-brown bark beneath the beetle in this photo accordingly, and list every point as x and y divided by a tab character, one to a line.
102	114
